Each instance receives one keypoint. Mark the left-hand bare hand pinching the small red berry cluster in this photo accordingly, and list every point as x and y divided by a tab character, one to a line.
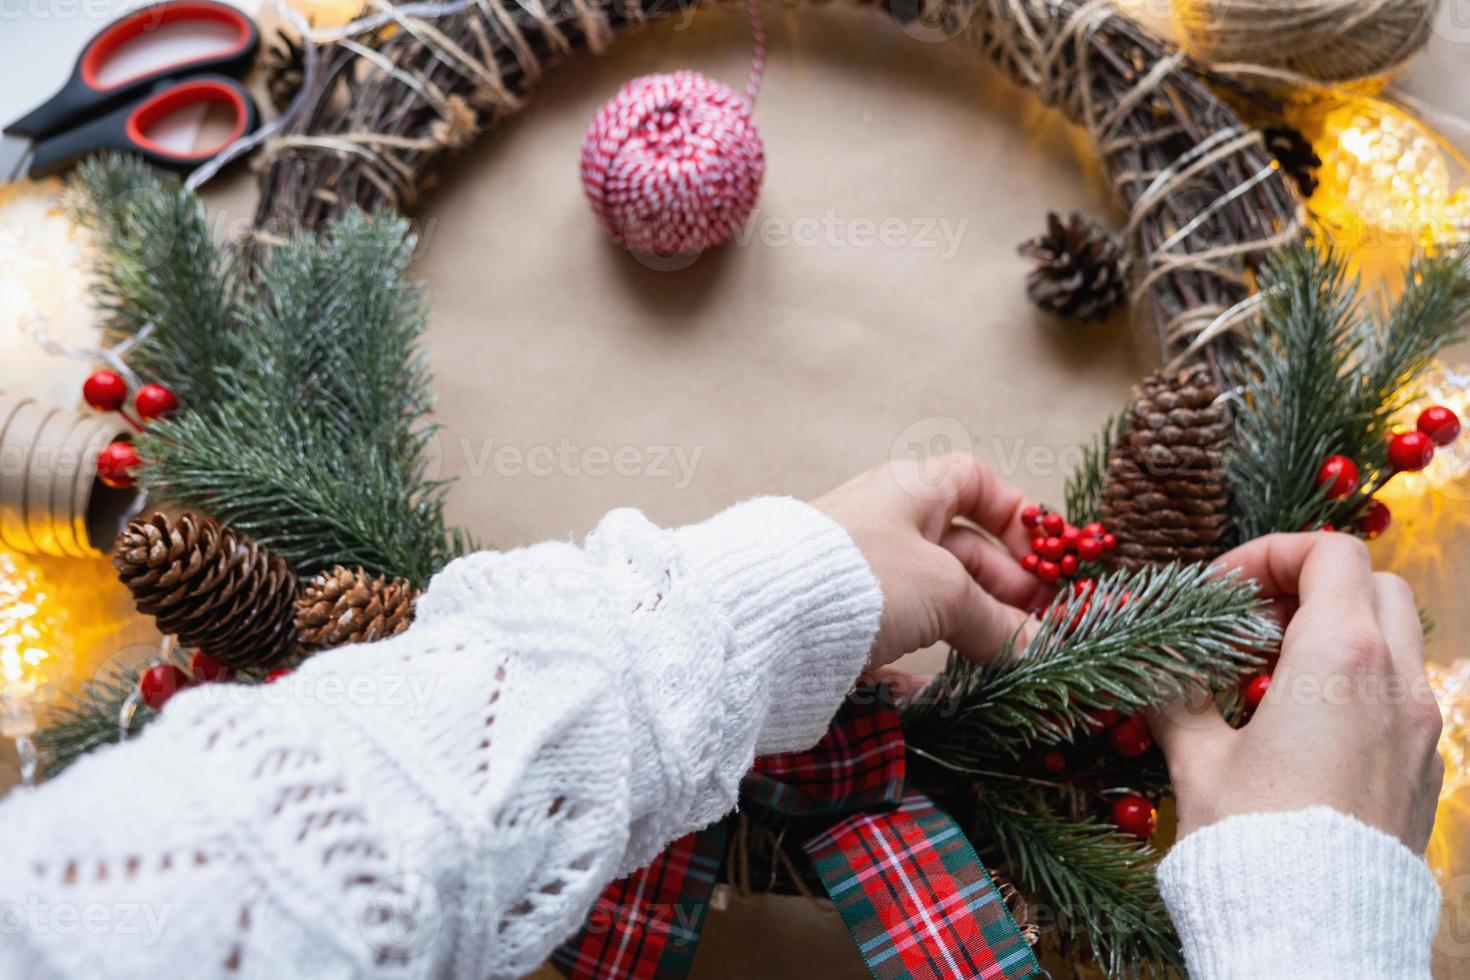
943	581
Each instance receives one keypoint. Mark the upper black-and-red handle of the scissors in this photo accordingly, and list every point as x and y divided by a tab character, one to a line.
85	96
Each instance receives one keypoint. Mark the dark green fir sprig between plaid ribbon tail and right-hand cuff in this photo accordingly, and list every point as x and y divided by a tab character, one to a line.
1096	882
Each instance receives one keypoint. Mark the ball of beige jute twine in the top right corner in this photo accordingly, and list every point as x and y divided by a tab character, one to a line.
1327	40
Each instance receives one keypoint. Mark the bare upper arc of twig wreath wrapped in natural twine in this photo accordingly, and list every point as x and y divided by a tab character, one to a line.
1203	196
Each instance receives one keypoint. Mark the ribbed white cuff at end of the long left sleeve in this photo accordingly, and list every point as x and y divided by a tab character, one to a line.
802	602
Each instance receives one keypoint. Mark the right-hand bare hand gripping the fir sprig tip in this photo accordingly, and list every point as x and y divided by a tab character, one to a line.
1349	721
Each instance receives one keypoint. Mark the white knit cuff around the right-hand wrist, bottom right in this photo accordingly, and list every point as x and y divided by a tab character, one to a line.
1311	893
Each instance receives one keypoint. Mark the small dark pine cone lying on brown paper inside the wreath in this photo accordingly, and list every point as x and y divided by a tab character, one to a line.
1081	270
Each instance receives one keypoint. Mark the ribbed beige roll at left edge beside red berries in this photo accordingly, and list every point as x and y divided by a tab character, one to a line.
51	499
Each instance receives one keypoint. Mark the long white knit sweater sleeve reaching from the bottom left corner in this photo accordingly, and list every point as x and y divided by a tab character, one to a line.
448	803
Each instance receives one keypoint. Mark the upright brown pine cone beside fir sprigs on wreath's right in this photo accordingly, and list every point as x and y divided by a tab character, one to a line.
1166	496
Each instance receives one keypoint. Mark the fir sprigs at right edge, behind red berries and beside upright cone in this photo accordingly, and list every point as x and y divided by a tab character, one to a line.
1322	377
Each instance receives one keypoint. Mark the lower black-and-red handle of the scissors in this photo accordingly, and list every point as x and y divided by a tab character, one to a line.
127	127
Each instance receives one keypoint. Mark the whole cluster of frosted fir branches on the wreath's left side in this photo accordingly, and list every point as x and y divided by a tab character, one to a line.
305	393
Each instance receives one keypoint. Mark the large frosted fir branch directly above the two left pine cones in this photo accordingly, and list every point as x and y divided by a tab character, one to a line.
320	449
